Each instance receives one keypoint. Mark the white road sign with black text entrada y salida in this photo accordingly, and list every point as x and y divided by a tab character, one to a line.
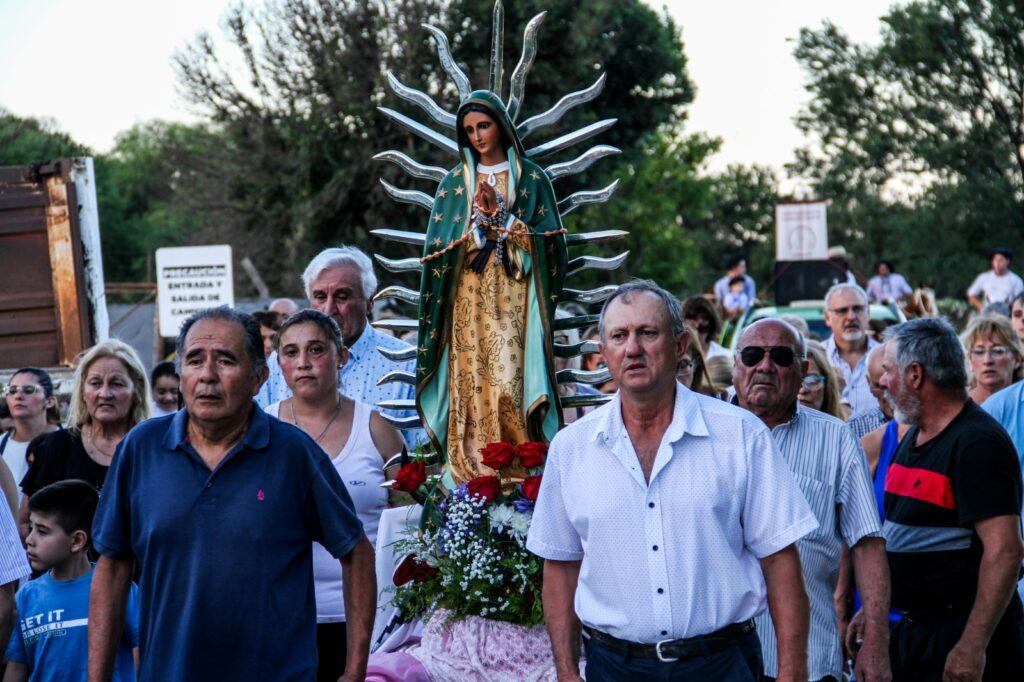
190	280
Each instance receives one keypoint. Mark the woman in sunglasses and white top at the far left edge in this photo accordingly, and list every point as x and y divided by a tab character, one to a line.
34	408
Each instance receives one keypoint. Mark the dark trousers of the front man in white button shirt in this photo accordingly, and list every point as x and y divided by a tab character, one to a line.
741	662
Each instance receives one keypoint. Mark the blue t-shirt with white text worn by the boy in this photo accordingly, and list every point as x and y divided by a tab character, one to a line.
53	638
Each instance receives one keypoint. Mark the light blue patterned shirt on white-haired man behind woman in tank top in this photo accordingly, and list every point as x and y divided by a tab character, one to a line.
358	379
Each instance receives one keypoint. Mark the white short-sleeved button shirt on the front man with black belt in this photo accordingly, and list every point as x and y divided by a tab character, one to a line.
678	558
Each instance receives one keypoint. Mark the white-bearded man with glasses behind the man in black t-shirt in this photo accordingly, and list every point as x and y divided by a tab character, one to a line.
847	315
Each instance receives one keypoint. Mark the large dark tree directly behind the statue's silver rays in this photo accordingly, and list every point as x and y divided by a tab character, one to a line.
300	123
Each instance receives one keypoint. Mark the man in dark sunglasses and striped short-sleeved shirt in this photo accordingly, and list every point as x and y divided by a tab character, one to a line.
831	470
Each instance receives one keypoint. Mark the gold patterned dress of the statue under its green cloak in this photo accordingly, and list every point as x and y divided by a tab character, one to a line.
486	373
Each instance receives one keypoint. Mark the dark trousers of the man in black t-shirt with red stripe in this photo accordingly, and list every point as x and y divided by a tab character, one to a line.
920	645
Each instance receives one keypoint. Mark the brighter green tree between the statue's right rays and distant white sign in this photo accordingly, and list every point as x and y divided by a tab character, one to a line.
685	223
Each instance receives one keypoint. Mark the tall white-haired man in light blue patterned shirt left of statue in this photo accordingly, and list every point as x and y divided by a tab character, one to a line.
340	283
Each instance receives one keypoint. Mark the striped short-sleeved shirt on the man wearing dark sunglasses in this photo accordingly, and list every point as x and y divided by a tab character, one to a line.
832	472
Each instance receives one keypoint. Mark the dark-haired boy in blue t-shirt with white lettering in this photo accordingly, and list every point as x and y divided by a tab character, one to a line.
52	644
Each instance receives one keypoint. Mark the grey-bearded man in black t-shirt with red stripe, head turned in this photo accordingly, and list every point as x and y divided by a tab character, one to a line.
953	519
